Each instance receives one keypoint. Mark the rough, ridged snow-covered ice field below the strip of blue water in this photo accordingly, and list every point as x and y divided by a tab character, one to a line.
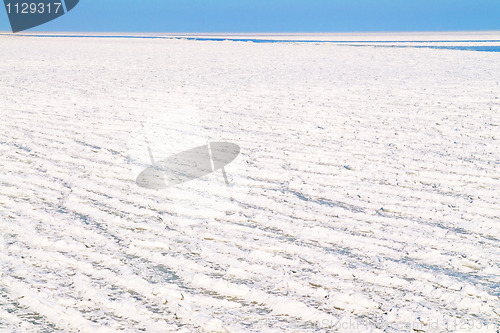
366	197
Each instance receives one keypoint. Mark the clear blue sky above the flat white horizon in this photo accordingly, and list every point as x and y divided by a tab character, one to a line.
275	16
